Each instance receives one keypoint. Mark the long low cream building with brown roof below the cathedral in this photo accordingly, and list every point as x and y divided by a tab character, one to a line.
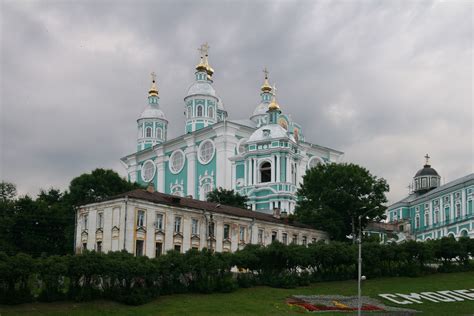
150	223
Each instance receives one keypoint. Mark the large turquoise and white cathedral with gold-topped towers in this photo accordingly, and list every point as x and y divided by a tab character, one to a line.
263	156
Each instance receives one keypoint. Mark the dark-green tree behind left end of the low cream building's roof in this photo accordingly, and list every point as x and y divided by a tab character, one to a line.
97	185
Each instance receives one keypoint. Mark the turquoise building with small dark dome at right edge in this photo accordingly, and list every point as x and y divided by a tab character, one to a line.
432	210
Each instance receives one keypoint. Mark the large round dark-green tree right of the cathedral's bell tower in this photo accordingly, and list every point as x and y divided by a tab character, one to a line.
333	196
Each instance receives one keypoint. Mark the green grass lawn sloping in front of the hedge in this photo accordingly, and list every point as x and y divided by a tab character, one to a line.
265	300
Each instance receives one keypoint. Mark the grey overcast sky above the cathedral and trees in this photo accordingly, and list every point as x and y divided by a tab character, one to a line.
383	81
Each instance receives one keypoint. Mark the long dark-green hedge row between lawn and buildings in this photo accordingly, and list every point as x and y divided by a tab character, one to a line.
133	280
